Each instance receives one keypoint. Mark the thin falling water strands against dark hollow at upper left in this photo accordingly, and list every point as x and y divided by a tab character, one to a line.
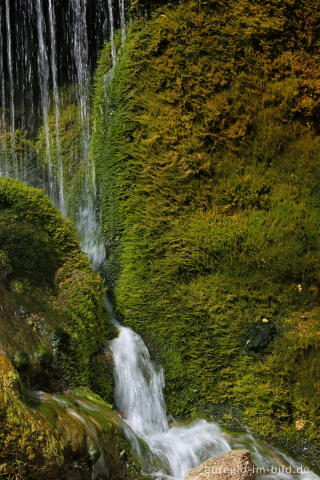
45	46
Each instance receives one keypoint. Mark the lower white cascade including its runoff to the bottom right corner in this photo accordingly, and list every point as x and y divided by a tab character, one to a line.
139	394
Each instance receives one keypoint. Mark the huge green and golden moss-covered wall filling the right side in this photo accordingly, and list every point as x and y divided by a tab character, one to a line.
206	140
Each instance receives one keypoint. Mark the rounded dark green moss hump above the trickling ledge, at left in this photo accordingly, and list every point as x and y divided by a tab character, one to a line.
58	307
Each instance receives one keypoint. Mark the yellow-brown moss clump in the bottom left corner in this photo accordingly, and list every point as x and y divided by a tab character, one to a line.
28	443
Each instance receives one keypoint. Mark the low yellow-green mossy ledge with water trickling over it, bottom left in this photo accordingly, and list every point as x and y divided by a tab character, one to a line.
47	437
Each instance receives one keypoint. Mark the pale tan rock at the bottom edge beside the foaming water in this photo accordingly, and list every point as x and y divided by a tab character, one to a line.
234	465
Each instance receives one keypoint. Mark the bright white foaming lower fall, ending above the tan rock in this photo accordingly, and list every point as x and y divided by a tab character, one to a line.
139	394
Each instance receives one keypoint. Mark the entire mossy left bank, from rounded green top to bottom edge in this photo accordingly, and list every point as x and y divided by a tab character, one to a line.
53	331
